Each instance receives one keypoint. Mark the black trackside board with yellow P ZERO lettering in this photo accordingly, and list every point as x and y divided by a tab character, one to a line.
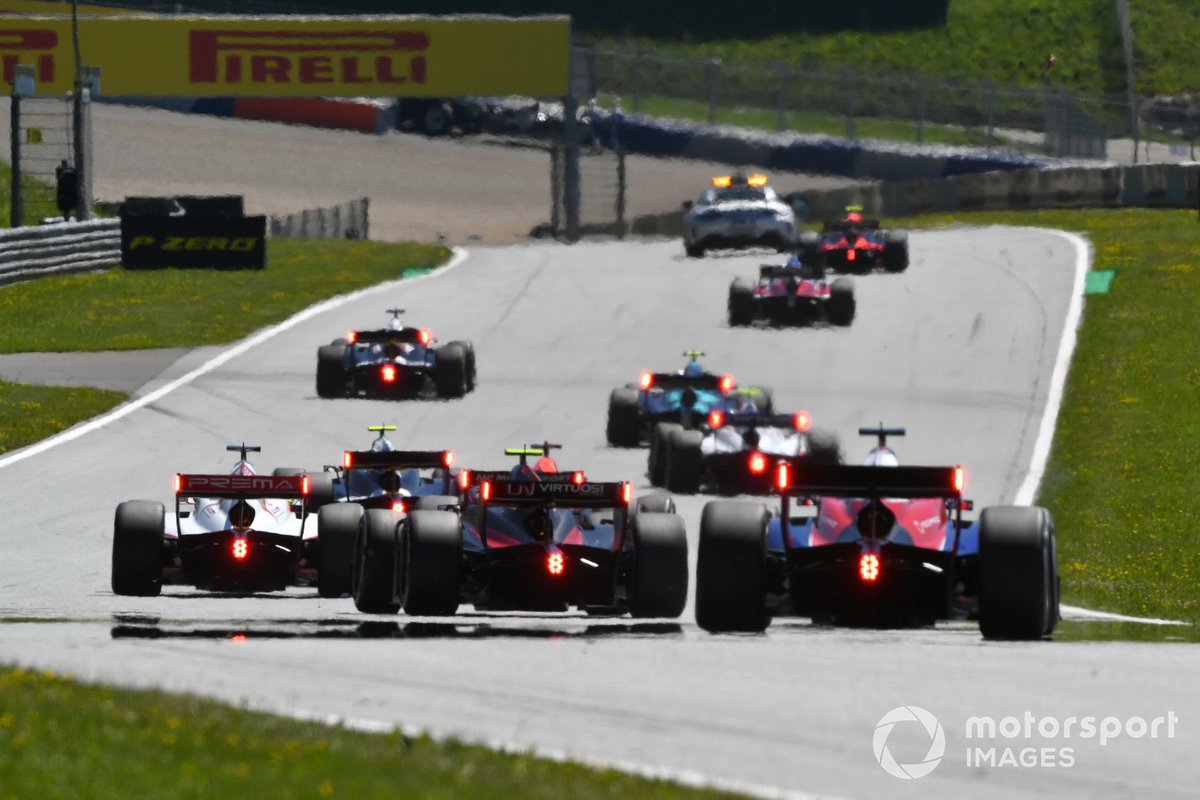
158	242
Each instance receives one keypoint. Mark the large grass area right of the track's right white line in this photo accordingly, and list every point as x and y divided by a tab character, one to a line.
1124	472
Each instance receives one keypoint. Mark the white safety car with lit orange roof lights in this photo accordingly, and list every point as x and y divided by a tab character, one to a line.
739	212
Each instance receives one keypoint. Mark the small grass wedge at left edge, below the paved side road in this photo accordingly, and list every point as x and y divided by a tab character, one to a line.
29	414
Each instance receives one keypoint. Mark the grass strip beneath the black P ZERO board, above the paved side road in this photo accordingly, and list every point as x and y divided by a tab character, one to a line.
127	310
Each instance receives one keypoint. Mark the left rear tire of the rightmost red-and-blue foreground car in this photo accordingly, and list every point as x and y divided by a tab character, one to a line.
731	568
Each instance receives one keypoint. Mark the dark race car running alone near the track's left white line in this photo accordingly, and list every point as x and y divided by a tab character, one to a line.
395	362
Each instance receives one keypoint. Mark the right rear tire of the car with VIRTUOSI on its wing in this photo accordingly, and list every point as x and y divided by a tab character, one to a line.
659	580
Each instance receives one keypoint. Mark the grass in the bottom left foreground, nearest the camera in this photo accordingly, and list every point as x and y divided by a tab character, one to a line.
64	739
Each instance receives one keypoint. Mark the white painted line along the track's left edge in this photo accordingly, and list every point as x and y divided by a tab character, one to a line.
251	341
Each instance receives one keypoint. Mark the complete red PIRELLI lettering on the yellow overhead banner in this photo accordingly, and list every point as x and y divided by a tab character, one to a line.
289	57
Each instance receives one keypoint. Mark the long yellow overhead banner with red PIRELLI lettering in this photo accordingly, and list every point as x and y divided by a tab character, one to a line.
296	57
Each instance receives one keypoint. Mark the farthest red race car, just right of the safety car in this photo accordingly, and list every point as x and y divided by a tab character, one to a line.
856	244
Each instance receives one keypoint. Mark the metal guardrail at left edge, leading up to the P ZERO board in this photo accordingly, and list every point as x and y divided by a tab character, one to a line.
59	248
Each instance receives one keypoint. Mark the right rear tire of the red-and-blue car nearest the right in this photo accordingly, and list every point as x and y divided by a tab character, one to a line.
1018	574
